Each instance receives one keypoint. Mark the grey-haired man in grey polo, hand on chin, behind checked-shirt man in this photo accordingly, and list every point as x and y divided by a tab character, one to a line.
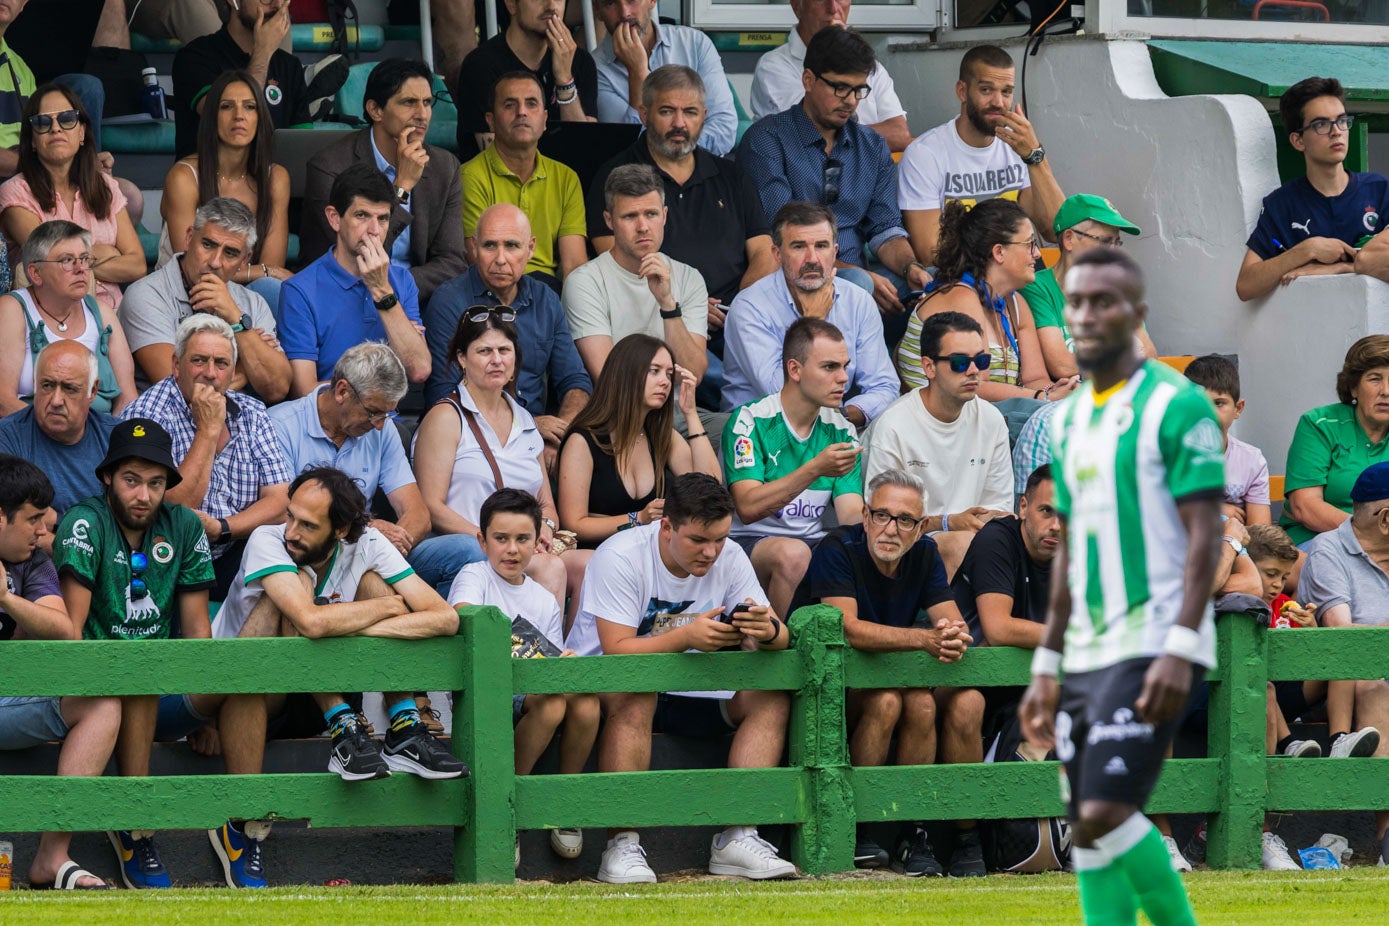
203	280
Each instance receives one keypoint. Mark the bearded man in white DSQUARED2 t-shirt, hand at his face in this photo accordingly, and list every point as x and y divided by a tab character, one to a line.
990	151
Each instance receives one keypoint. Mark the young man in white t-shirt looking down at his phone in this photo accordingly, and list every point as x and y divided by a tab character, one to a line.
677	587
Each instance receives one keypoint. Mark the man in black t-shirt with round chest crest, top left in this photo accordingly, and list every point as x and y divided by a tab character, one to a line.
249	41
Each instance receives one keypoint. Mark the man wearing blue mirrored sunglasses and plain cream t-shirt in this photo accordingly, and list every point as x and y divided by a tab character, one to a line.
944	435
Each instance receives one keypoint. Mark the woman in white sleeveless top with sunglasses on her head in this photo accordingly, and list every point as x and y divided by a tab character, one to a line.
474	444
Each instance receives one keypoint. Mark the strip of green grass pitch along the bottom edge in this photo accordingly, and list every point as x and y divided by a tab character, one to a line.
1358	896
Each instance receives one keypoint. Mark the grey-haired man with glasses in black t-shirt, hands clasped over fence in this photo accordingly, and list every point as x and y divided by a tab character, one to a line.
883	575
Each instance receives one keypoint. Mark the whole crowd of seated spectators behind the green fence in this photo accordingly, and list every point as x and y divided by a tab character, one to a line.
727	380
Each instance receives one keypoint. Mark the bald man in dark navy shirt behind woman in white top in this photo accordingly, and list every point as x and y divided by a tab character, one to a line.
498	280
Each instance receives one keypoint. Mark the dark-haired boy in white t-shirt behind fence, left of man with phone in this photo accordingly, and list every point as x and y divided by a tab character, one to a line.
509	528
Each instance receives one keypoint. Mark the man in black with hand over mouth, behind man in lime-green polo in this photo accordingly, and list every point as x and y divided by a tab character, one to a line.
535	41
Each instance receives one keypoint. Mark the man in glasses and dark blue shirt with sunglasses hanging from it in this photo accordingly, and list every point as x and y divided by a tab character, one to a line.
817	152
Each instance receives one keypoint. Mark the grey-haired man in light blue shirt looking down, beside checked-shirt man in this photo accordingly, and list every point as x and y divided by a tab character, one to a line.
347	424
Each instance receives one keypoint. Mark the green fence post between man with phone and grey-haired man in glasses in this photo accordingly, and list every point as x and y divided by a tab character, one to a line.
820	745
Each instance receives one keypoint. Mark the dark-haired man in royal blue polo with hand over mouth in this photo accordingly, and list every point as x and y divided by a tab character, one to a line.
352	294
